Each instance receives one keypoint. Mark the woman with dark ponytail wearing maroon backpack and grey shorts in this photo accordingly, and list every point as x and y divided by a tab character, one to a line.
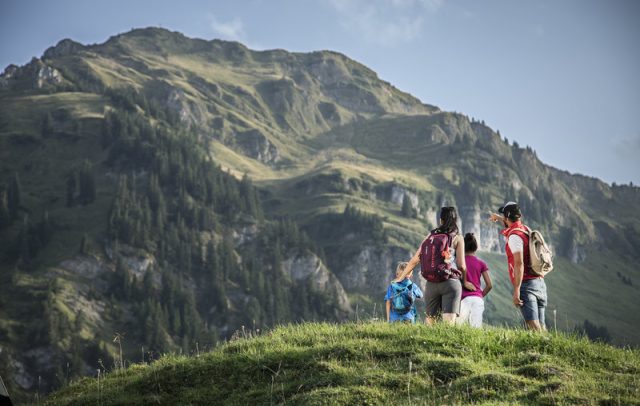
442	259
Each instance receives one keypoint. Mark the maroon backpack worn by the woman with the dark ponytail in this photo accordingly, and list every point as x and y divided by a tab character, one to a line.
434	258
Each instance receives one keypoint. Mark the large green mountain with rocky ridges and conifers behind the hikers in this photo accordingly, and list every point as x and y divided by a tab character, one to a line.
165	191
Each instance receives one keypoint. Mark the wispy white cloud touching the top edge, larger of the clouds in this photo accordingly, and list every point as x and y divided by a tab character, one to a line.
386	22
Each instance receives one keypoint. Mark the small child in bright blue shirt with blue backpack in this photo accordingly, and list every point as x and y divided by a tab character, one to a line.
402	293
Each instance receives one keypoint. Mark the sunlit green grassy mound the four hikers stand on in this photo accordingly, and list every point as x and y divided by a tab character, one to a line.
375	363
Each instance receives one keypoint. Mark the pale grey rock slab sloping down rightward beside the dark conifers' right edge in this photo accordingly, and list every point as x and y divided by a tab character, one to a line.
308	268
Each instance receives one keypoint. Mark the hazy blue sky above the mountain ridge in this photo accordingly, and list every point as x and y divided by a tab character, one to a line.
559	76
